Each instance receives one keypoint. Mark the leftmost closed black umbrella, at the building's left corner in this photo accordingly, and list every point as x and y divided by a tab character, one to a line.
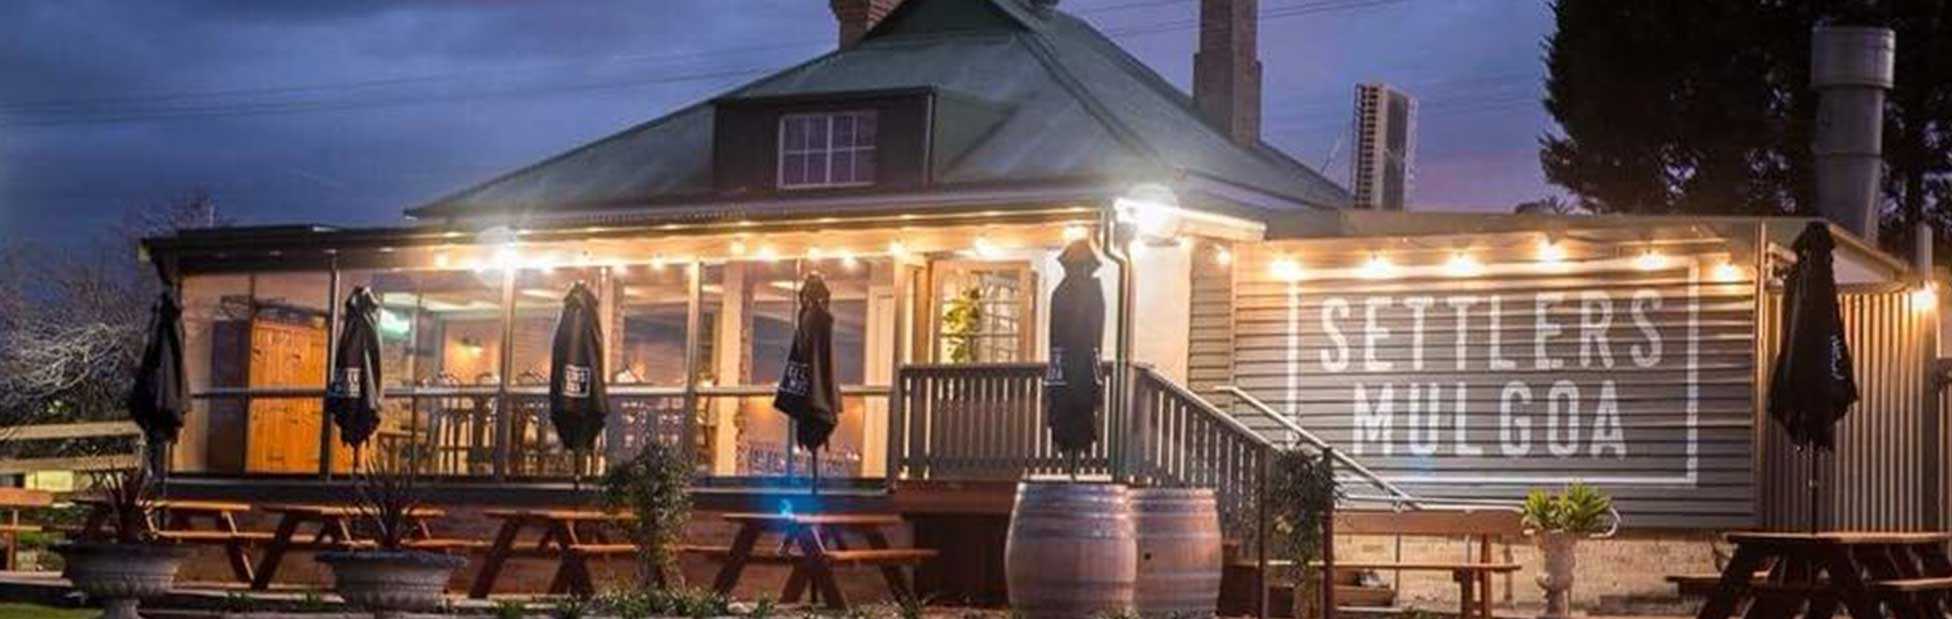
161	395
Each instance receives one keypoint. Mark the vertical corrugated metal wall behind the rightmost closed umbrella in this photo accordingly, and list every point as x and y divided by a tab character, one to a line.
1891	448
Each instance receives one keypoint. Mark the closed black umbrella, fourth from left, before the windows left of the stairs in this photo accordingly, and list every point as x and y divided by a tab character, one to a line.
807	390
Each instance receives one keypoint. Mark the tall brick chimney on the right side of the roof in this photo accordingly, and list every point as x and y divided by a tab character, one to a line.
1227	71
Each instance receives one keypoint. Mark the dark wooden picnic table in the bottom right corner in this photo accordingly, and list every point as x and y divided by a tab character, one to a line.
1873	575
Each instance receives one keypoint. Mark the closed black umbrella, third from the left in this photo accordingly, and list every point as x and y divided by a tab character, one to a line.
577	393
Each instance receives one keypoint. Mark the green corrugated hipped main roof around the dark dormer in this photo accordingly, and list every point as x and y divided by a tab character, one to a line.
1073	106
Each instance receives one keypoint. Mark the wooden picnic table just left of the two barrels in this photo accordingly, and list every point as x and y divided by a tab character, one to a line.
815	546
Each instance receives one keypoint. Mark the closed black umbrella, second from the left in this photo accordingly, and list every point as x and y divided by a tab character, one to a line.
356	395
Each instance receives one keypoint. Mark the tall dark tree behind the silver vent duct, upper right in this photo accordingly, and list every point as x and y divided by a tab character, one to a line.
1684	106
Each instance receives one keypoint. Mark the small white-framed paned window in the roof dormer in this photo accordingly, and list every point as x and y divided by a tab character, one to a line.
827	149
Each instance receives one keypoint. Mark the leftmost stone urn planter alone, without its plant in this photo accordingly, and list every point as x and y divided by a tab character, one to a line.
120	575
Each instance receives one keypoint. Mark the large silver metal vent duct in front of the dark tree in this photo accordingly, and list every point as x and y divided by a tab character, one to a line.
1851	71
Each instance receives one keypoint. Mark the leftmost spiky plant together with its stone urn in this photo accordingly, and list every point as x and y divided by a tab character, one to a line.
134	565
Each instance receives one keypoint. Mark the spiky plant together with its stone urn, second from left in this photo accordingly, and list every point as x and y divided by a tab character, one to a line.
389	579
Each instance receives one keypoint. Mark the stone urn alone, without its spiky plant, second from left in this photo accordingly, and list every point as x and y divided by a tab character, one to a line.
391	583
